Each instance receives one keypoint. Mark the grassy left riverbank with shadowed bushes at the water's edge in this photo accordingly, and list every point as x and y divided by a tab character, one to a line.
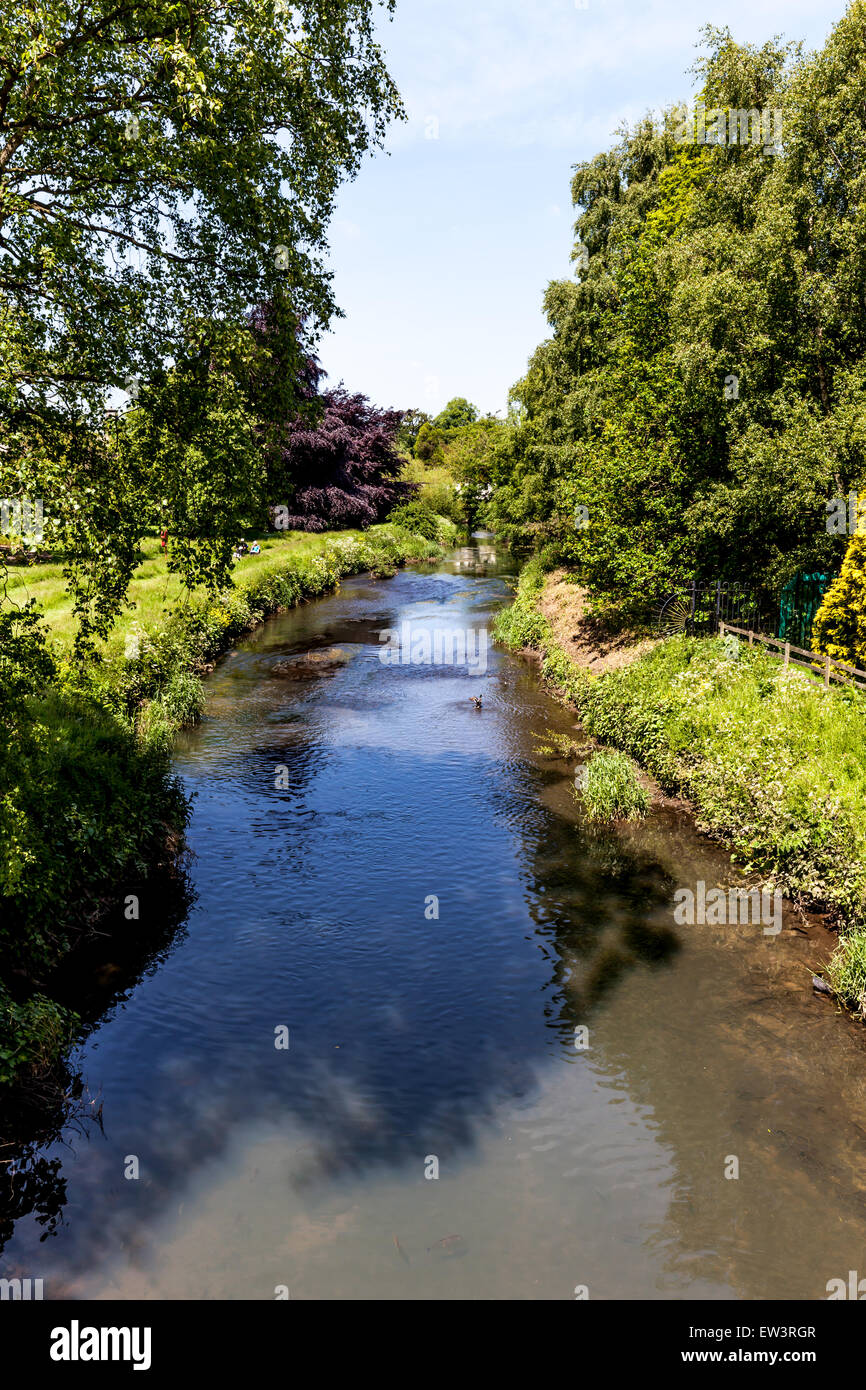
88	801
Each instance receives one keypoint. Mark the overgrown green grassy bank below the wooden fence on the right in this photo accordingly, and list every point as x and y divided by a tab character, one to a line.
774	765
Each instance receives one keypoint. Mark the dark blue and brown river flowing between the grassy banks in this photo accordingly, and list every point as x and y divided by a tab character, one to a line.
401	889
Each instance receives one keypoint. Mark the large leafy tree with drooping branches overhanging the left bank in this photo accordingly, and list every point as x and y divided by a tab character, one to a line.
163	169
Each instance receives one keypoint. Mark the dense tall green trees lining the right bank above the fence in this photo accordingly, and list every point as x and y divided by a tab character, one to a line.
705	269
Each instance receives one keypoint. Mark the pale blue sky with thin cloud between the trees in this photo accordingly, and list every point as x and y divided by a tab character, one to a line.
443	248
